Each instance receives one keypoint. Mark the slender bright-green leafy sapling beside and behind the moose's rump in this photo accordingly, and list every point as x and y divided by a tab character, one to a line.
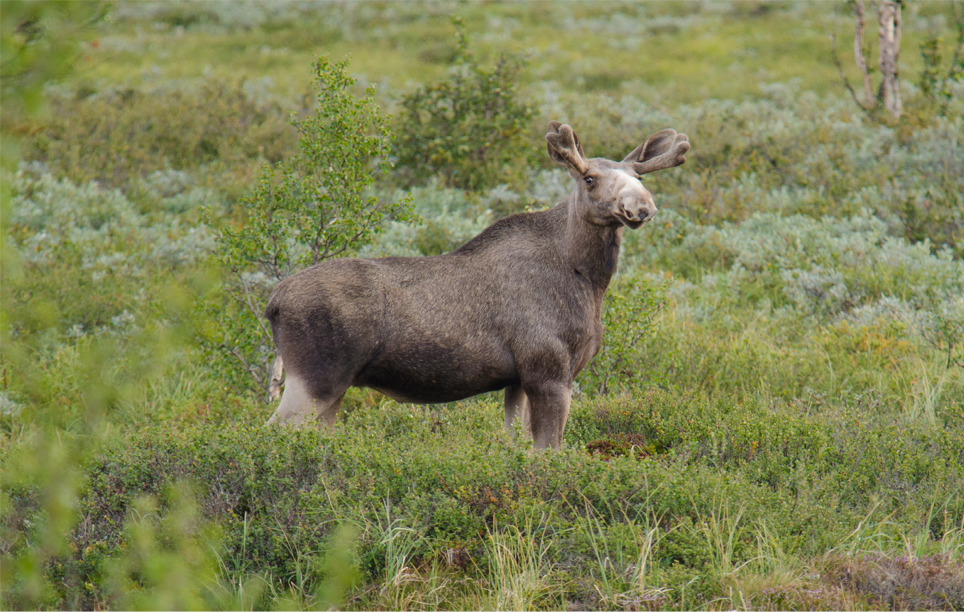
306	209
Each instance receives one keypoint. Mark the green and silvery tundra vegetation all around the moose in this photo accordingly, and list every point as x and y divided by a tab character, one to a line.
775	421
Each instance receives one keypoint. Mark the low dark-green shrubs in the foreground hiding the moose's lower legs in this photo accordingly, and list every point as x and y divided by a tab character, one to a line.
711	474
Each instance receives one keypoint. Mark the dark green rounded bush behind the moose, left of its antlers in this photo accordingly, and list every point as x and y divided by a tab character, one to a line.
470	129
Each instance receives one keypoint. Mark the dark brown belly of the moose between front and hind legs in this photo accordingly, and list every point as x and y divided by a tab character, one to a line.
436	373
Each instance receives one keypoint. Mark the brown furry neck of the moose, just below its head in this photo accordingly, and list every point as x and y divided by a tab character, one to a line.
592	250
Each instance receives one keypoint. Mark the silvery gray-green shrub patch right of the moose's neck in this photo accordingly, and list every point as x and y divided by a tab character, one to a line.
805	271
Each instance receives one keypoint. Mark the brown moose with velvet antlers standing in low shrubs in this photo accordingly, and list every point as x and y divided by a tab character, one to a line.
517	308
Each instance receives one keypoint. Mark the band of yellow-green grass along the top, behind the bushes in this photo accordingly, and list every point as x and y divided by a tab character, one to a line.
713	55
